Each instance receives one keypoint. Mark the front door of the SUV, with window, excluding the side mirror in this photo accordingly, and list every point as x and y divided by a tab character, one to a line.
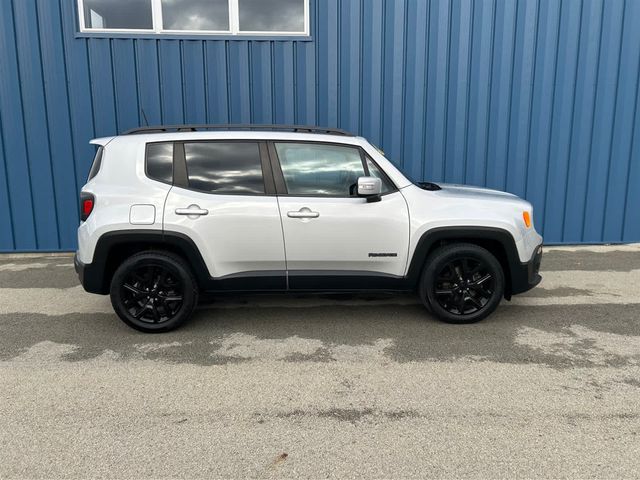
333	238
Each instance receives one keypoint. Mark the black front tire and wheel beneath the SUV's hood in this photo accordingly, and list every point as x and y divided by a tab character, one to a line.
462	283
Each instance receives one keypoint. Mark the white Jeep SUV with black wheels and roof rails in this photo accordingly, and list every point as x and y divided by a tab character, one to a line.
171	212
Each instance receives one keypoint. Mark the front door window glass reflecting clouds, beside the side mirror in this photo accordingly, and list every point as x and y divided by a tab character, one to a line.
321	170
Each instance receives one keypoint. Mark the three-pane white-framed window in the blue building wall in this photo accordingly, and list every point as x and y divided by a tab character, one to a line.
209	17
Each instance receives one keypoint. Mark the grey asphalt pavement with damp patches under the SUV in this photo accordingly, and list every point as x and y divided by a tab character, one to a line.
366	386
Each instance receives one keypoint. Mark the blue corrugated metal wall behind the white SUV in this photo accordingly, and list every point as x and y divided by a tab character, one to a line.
535	97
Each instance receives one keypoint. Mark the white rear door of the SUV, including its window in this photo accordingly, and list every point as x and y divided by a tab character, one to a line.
223	198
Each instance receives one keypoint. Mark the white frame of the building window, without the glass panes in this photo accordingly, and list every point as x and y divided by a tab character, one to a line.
156	13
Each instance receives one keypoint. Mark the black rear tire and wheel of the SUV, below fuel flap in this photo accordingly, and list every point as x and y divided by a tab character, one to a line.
154	291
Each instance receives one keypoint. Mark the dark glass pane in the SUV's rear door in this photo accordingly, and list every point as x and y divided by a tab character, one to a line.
224	167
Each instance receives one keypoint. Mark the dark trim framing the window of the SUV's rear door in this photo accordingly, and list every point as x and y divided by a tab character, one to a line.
181	176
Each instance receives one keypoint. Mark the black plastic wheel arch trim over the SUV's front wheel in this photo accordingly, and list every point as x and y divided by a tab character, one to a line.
498	241
